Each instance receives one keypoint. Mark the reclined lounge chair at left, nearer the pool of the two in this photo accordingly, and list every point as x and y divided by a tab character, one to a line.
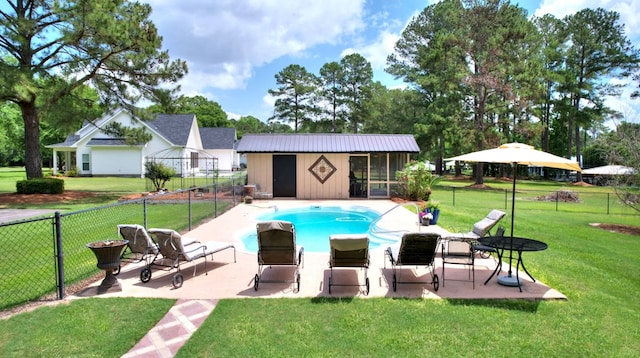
176	249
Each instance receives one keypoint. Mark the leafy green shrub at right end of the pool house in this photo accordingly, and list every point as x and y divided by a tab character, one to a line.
415	181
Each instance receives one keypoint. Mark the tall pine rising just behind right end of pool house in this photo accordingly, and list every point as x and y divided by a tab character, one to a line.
430	57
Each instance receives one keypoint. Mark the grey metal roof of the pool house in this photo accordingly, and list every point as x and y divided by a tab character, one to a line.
327	143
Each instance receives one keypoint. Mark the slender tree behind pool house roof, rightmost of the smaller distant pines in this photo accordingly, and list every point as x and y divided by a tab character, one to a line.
356	82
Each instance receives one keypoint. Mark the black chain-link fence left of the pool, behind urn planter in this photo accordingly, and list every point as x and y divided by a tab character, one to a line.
46	258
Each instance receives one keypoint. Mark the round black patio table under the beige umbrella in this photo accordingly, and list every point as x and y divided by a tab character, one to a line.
517	244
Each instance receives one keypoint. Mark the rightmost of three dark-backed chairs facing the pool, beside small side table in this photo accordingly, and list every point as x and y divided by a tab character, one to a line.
414	249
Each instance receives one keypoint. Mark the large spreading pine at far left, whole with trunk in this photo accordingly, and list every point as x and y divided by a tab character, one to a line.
110	44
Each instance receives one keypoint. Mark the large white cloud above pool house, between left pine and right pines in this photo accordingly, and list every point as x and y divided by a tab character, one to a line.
225	40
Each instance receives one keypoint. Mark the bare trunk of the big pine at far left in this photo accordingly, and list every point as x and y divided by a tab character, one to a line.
32	158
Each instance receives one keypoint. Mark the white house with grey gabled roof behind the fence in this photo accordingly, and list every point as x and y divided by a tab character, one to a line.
176	140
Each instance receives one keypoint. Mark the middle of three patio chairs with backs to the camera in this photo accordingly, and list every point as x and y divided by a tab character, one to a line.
349	250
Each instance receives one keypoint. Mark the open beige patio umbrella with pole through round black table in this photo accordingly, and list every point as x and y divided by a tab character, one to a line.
514	154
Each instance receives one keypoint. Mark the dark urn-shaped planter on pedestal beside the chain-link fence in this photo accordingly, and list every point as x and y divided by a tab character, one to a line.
108	254
